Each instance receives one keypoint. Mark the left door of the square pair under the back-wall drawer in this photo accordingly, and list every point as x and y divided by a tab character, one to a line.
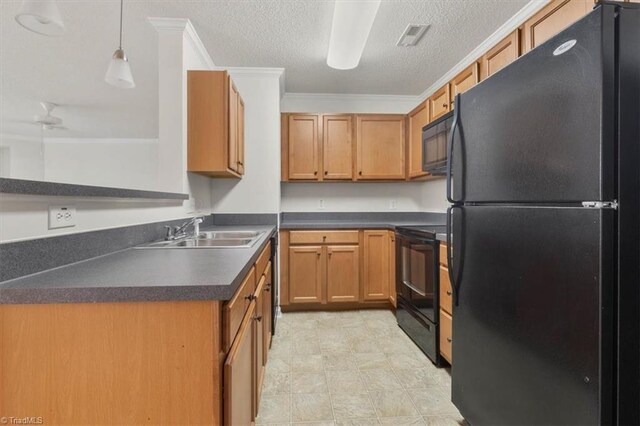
305	274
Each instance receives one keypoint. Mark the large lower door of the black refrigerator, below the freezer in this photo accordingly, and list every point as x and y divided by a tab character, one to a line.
532	331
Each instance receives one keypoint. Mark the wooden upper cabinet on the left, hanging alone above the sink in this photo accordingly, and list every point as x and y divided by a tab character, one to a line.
215	125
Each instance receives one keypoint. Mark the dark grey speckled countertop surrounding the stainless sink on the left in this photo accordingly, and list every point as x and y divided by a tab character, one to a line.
142	275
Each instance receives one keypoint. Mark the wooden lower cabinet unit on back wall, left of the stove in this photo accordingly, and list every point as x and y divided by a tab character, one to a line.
349	268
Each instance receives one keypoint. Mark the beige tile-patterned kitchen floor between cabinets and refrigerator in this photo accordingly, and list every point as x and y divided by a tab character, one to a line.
351	368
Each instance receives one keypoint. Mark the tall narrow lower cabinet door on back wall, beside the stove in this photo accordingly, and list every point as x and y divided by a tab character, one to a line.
376	265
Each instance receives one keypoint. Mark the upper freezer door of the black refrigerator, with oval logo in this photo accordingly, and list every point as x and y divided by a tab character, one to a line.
542	128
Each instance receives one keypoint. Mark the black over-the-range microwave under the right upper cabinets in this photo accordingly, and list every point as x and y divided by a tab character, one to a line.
435	136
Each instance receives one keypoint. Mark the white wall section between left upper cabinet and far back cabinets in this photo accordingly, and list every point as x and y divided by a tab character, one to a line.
259	189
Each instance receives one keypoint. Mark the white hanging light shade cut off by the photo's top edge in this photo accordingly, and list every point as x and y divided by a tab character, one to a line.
41	16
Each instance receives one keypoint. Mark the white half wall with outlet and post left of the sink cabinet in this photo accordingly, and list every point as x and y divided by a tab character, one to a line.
26	217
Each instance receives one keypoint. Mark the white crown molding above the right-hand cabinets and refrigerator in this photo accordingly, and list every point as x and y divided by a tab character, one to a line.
505	29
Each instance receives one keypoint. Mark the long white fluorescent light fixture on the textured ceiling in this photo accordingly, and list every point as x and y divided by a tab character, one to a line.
352	22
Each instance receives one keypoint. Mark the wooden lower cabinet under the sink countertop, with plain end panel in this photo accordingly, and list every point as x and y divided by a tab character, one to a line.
137	362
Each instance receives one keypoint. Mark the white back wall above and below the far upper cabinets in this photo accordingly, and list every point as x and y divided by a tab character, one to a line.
359	196
